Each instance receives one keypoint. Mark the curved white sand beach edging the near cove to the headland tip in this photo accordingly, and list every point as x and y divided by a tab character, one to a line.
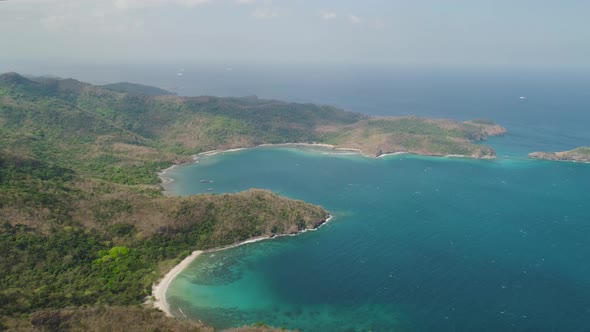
160	288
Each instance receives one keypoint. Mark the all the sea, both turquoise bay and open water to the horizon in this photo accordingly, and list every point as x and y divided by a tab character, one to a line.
416	243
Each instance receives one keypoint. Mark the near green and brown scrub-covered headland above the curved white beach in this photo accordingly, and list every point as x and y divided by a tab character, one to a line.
68	242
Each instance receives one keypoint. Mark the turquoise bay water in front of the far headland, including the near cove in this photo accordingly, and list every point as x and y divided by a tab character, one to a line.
416	244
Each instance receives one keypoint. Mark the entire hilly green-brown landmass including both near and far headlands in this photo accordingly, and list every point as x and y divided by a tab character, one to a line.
85	229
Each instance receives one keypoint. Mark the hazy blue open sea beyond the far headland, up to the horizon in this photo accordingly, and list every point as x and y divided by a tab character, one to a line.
544	108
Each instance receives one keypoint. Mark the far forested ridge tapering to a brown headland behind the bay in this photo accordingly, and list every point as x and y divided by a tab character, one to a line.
124	136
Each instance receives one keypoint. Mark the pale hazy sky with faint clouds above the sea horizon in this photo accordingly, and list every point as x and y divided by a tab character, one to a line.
375	32
